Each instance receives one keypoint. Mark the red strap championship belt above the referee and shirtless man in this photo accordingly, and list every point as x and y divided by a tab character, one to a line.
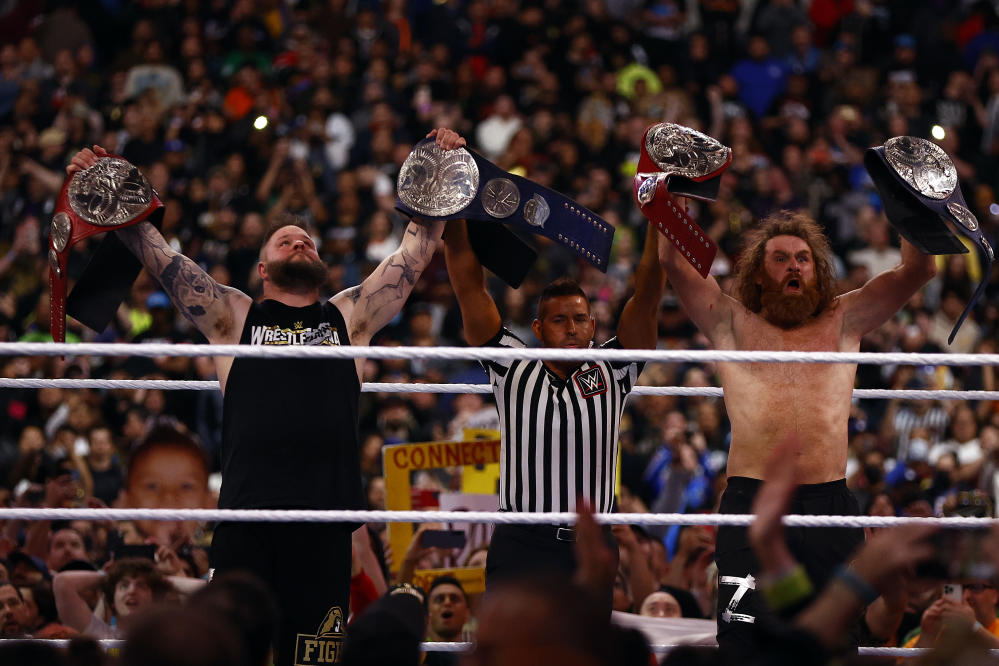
682	161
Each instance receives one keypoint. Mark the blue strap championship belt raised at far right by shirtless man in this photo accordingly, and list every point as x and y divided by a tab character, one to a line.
918	184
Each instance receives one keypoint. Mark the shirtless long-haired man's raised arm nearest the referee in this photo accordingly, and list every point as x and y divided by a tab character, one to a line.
707	306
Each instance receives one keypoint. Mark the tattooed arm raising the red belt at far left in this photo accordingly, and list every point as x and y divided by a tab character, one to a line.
213	308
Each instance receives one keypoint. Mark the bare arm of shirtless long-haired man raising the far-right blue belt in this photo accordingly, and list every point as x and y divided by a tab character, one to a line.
878	300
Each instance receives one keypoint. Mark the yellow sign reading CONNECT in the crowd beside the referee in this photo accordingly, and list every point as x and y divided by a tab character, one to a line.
474	453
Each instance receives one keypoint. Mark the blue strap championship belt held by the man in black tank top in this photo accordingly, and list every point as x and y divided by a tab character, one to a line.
437	184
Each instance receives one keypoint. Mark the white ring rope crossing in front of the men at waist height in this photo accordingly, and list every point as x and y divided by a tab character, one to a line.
497	517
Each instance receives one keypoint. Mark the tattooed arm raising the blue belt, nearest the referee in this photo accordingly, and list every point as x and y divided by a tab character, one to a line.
372	304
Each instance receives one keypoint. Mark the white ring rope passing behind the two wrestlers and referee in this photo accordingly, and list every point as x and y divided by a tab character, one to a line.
396	387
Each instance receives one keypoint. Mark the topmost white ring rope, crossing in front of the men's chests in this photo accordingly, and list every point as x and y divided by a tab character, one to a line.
490	353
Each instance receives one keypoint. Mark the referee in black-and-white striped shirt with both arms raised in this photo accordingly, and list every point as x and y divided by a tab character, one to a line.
559	421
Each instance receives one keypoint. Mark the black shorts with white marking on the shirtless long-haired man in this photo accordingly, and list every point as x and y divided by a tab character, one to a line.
743	615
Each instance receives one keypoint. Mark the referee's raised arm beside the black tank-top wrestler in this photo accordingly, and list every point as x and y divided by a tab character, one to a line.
479	315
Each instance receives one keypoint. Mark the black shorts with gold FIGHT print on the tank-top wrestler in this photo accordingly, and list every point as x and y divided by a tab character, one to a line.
307	566
